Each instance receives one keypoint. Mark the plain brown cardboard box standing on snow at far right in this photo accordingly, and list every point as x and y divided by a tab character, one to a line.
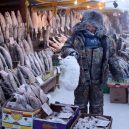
118	95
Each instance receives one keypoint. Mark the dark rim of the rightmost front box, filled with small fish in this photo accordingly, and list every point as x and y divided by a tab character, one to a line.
85	115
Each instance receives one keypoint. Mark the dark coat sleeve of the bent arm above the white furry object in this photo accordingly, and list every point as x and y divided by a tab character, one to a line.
69	48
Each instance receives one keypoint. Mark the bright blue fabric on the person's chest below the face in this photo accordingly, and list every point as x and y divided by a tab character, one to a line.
91	41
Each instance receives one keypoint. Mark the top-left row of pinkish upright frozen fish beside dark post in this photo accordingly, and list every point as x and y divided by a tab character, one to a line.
12	26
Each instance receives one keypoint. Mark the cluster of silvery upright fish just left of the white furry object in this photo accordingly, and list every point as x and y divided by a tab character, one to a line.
39	62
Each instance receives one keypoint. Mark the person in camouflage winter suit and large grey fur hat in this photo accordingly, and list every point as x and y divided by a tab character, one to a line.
95	52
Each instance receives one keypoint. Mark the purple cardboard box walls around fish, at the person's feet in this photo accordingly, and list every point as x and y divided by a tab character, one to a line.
42	124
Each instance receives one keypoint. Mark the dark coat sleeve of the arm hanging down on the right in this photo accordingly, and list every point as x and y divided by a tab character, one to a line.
114	66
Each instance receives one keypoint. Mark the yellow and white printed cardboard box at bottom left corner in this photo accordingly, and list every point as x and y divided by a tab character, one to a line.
15	119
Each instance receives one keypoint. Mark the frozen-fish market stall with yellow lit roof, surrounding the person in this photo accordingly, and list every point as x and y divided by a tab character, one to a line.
31	36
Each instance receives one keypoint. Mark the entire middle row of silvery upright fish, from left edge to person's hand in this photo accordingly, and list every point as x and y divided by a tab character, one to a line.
39	62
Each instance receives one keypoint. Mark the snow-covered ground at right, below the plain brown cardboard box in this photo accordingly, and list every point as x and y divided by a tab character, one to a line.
119	113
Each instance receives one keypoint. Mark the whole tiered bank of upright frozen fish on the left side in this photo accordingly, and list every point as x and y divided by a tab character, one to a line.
19	63
